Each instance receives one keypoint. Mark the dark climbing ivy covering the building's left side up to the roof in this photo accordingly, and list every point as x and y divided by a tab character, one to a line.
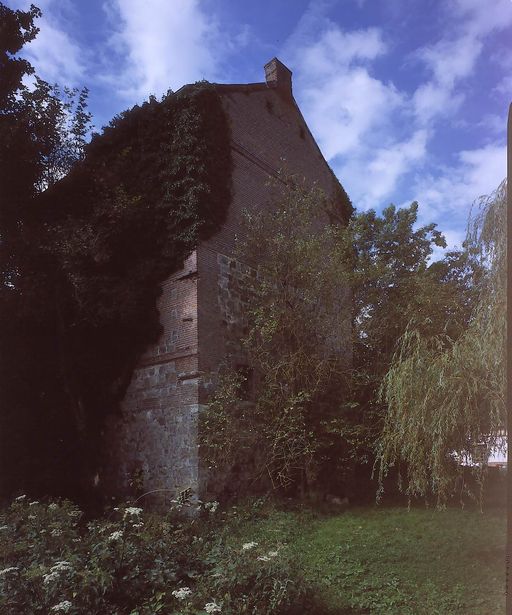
102	240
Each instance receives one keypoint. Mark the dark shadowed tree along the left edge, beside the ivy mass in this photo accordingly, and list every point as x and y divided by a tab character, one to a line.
42	134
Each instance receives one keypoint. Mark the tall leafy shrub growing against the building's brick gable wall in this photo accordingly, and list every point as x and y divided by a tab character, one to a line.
297	341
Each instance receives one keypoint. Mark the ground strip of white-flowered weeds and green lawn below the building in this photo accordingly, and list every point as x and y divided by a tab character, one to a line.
255	559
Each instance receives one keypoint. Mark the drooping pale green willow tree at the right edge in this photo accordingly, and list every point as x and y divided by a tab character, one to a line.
446	397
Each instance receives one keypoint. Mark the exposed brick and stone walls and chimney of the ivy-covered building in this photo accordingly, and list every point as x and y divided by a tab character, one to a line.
154	443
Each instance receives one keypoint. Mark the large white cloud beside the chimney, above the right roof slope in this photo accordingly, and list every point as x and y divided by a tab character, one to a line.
350	112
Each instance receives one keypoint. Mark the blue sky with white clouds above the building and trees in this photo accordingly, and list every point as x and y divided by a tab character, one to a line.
407	98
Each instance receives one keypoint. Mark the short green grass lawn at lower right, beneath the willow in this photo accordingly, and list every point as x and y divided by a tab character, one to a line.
389	560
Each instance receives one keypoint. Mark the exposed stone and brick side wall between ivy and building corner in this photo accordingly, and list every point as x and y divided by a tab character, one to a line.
153	442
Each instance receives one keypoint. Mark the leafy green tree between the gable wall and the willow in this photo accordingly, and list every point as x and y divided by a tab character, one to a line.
394	284
